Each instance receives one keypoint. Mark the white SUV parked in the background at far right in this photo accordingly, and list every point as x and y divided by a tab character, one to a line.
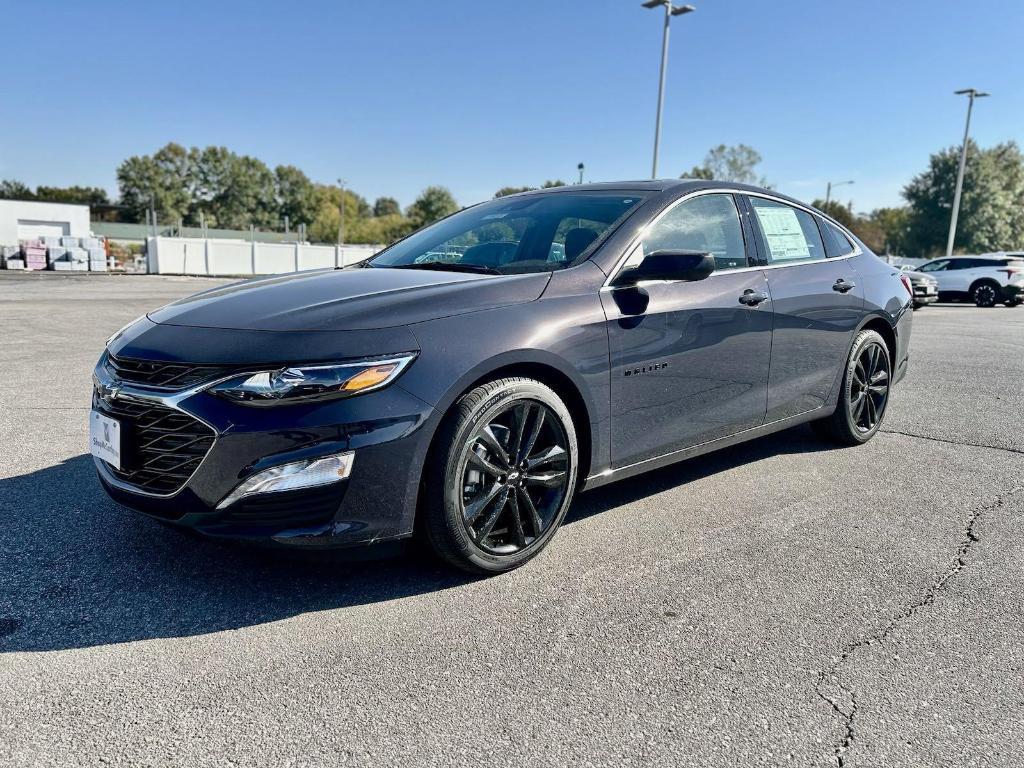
986	280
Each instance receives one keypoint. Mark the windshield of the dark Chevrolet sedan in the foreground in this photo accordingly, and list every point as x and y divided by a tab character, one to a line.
529	234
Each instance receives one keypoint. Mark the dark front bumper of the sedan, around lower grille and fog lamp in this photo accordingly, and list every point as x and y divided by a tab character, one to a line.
390	432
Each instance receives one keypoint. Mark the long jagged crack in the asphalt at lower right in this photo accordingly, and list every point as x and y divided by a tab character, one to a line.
848	711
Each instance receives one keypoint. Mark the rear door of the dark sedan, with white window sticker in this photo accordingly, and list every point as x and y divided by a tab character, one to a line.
817	302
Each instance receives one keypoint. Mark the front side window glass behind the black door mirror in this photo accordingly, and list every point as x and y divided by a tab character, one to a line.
708	224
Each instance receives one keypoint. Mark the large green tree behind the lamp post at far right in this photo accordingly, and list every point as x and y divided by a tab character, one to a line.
992	216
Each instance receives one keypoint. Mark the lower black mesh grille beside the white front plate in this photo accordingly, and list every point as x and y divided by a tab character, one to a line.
160	447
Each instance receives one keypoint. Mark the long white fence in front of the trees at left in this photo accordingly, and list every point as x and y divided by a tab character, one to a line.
232	258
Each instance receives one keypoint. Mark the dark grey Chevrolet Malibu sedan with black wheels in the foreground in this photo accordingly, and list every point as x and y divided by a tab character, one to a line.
468	381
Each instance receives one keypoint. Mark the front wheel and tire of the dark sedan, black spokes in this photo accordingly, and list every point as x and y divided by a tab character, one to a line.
479	457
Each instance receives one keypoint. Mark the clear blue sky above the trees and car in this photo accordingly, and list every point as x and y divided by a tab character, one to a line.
476	96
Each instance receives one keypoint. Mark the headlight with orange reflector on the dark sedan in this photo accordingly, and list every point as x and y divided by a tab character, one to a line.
305	383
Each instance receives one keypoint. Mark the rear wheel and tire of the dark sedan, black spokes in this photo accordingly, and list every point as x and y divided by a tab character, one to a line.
861	410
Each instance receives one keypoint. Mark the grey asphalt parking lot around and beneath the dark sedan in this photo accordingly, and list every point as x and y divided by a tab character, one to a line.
781	603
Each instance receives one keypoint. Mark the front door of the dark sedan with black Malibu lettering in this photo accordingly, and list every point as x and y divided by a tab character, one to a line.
690	361
